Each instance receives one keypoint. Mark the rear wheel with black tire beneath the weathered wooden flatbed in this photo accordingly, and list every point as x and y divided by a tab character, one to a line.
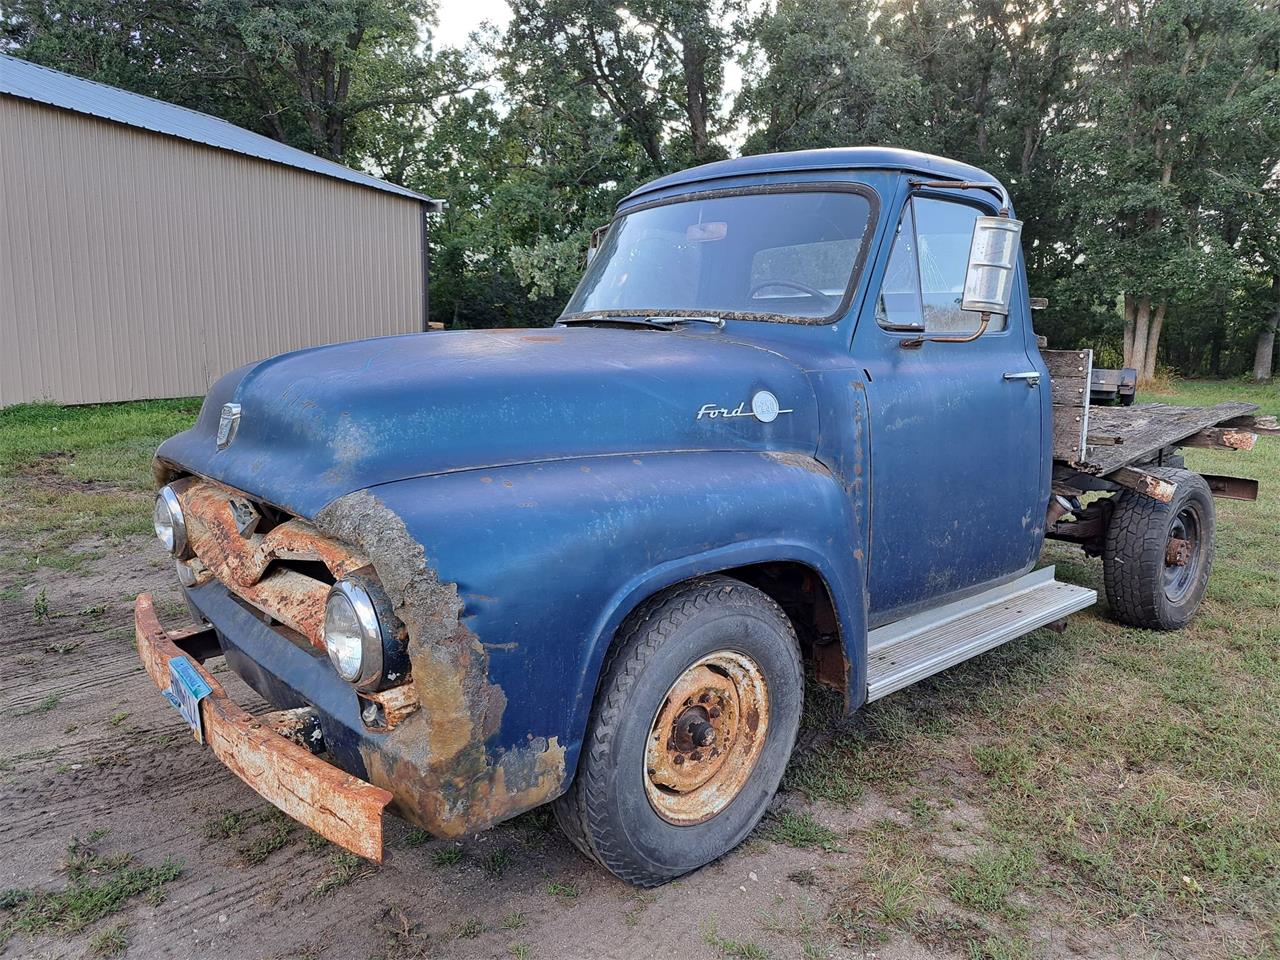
1151	583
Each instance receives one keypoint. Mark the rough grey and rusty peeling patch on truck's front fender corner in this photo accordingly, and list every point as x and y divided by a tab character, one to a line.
436	761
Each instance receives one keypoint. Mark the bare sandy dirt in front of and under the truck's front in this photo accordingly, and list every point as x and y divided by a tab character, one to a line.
90	747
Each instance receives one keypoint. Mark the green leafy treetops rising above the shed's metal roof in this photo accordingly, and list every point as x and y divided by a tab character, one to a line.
305	72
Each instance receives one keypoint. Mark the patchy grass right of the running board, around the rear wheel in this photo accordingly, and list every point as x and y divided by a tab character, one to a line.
1116	779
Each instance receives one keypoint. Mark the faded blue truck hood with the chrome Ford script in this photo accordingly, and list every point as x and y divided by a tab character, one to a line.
323	423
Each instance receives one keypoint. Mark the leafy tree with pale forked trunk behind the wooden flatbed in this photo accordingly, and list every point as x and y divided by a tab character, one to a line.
1177	83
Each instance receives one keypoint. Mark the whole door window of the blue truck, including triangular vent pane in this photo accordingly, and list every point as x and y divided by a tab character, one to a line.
925	281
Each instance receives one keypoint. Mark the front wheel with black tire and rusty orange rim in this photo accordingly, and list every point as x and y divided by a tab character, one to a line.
692	730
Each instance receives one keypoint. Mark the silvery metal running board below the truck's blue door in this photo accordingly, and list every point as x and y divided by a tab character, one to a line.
918	647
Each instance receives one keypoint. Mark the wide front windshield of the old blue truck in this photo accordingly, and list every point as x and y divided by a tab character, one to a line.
778	255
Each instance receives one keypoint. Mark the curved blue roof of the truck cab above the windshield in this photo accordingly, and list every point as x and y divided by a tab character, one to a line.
829	159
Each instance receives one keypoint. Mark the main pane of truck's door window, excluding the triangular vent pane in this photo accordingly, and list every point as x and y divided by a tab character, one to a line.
944	232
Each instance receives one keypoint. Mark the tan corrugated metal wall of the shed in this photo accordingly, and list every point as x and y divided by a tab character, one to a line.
139	266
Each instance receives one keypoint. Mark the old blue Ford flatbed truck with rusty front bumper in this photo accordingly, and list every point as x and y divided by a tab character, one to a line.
794	418
